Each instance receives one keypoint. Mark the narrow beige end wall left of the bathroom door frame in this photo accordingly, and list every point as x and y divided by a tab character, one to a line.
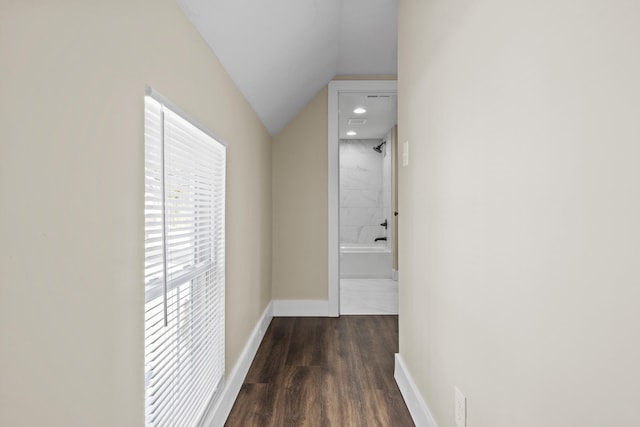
299	186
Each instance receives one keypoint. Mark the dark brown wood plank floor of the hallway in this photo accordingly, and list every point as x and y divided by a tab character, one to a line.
323	372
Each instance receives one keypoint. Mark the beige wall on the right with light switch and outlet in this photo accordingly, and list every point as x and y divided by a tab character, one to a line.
520	231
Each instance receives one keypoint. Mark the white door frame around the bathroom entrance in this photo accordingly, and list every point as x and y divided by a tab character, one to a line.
335	88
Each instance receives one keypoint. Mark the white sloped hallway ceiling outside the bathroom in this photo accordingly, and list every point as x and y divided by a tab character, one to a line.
281	53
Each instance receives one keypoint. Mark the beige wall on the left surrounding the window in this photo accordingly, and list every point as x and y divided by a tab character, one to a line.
72	80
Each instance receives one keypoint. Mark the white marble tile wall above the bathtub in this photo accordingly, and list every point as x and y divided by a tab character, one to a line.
361	191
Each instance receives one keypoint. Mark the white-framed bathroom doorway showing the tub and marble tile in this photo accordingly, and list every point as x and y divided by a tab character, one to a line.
362	232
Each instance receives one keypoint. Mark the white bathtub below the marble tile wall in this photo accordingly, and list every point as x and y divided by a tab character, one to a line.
365	261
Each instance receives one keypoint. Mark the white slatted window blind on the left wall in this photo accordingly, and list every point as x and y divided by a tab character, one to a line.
184	267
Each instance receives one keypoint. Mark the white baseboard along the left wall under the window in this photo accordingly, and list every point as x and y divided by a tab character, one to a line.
217	415
